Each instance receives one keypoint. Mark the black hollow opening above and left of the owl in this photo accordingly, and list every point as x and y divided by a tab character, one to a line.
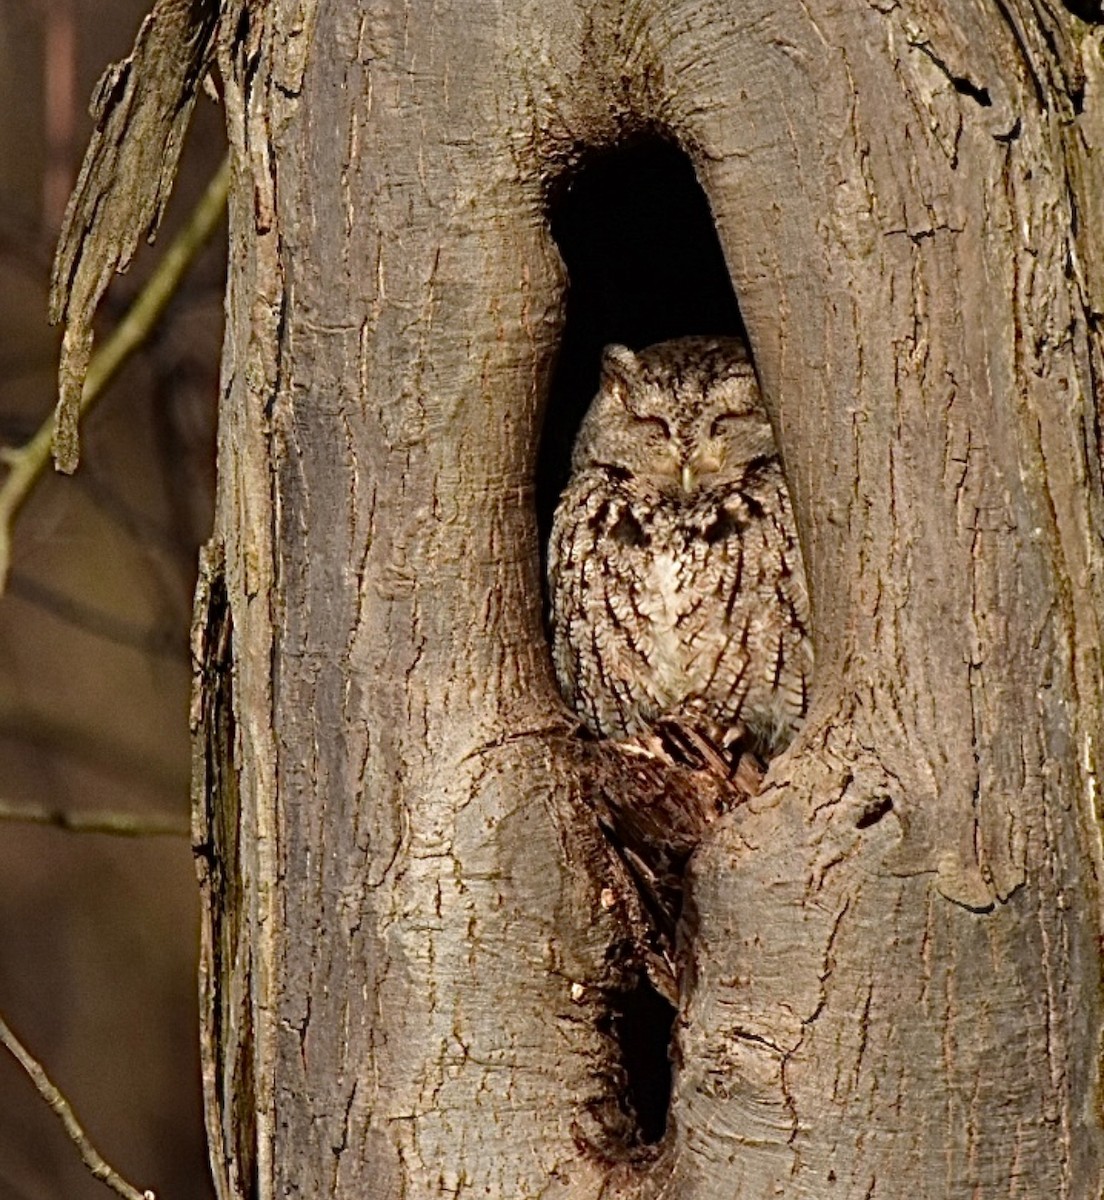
634	229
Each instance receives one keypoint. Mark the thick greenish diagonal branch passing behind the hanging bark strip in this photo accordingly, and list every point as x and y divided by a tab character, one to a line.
27	464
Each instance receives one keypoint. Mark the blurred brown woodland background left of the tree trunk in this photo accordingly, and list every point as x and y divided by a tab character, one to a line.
99	934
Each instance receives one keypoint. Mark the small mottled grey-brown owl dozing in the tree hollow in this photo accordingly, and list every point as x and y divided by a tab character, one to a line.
675	571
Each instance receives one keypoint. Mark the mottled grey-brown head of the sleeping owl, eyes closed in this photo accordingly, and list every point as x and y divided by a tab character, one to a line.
681	416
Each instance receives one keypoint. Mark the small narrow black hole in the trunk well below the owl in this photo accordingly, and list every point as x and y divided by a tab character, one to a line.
643	1021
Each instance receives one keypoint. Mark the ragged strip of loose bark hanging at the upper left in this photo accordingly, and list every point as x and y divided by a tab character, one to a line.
142	109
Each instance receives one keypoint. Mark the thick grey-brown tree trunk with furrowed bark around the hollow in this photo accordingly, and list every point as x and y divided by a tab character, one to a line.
416	928
